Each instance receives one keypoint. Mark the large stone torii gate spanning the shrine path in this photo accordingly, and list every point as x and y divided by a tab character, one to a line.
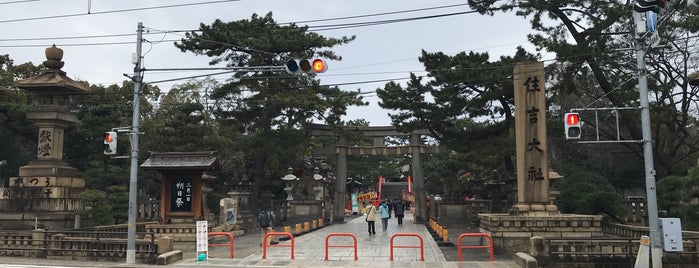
341	150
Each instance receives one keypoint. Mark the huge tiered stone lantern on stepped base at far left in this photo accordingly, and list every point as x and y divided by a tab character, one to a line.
47	189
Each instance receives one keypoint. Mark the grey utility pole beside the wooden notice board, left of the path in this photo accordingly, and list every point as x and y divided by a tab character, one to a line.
133	178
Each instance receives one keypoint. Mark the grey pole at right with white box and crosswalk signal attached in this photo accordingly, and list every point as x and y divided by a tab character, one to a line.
656	250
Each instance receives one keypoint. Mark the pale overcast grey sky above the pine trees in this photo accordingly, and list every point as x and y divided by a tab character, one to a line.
380	52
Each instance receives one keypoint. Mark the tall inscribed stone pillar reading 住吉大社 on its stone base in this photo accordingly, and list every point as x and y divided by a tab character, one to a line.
534	214
